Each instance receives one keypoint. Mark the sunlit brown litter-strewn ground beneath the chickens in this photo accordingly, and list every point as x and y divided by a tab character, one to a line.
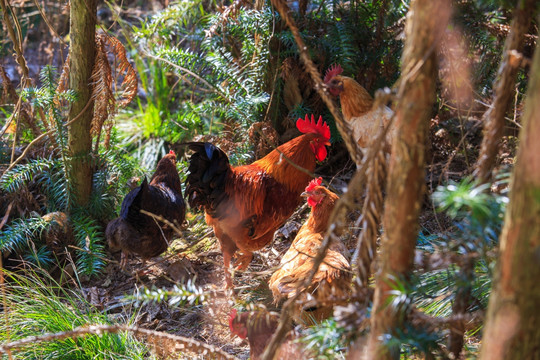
207	322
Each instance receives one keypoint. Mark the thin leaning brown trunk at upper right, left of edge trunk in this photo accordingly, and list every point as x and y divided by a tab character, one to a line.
504	88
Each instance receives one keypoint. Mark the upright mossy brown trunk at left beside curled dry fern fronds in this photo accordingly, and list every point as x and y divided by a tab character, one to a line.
82	32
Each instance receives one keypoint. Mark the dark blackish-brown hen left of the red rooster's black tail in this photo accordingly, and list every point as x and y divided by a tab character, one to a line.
136	233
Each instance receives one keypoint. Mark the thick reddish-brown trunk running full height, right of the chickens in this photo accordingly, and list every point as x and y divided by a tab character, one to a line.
427	19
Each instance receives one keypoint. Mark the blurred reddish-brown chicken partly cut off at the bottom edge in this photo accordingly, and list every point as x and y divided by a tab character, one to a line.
258	327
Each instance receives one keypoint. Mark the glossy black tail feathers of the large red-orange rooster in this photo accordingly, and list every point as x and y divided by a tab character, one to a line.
208	170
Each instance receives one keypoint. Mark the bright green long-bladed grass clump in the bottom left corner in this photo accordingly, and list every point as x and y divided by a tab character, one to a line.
39	305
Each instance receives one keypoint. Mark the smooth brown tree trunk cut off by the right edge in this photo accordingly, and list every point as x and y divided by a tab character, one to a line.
513	321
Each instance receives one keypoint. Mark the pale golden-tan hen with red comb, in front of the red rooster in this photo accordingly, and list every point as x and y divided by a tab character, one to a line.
332	279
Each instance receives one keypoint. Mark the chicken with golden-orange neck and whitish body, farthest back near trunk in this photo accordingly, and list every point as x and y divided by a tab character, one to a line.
356	106
